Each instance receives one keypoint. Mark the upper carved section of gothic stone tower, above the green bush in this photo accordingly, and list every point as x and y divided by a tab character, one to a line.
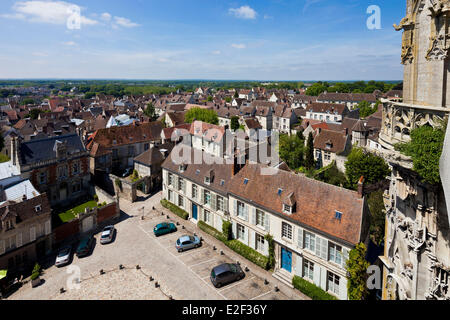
425	49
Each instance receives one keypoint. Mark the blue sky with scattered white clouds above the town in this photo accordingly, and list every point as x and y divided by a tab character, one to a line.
201	39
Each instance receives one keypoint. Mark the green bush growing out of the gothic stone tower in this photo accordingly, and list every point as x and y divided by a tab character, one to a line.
425	149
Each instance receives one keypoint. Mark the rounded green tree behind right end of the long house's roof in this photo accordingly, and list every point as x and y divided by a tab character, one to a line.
361	163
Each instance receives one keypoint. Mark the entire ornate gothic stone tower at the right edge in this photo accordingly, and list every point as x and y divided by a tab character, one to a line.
417	246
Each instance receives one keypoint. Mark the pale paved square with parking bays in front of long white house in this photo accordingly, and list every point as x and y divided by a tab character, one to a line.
180	275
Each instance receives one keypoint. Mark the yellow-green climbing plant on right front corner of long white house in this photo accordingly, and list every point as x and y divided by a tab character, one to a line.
356	267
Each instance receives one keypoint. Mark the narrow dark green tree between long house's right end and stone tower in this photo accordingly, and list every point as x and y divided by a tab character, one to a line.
378	217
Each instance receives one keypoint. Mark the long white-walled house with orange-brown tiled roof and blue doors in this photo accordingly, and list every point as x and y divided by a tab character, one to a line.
314	225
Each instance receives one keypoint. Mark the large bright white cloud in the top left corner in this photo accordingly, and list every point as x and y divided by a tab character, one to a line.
53	12
